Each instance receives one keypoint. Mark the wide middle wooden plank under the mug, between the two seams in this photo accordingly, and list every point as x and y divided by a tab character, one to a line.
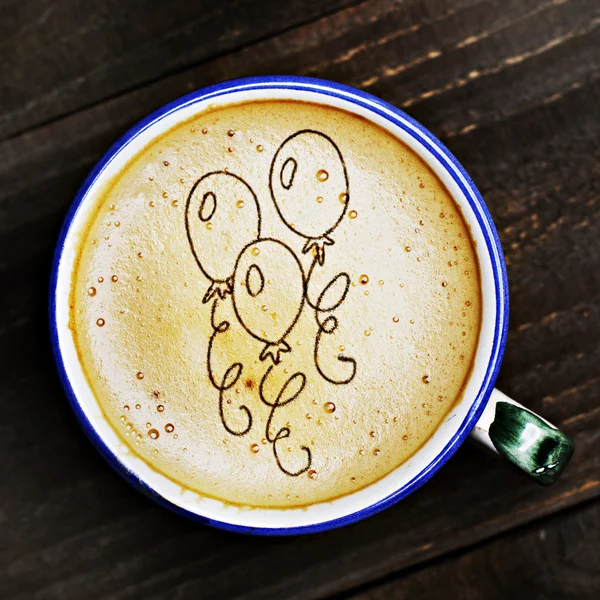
512	88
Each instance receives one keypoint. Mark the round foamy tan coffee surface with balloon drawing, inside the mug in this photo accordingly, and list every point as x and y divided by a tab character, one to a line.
276	303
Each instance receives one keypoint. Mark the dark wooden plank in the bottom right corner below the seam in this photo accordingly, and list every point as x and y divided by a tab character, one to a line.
555	558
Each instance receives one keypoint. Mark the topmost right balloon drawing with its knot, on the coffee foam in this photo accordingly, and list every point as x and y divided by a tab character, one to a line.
309	186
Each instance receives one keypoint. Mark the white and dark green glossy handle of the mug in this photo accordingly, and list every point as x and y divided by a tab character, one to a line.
524	438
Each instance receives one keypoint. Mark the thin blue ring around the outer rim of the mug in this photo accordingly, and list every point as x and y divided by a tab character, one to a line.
454	169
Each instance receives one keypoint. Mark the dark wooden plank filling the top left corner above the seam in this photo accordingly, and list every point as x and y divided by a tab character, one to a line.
58	57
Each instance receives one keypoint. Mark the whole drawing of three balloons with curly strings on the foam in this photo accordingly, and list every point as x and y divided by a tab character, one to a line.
265	278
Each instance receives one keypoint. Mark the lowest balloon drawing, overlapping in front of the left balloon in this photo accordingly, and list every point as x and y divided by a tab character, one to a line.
268	294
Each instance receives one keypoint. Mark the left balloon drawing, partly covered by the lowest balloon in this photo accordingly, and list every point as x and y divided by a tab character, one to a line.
222	216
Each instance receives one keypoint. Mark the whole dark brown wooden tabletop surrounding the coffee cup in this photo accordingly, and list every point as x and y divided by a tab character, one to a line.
513	88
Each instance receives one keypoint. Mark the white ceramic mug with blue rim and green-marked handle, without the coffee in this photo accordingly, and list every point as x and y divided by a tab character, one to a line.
505	426
